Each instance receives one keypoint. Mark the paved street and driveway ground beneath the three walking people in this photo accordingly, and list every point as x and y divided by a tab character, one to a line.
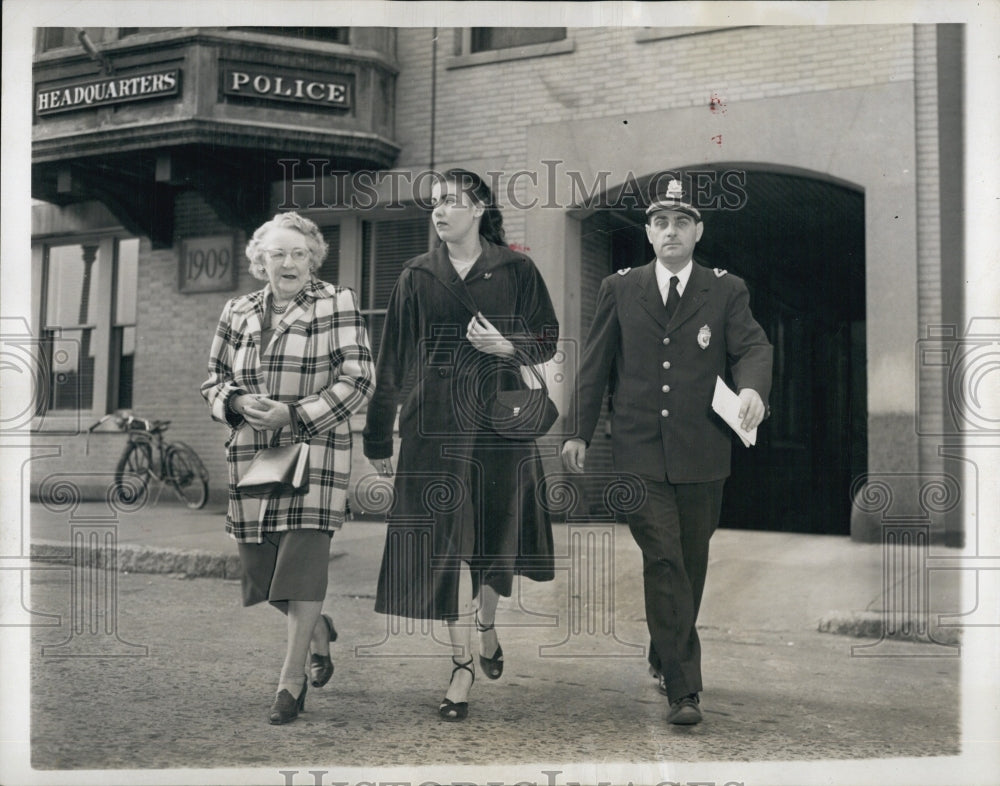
775	688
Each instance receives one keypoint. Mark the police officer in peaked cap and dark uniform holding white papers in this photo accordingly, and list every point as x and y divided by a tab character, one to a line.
662	333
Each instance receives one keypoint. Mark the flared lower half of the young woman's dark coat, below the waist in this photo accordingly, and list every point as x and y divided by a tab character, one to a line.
475	500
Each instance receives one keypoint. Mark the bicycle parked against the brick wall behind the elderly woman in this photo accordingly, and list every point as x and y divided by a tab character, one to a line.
147	454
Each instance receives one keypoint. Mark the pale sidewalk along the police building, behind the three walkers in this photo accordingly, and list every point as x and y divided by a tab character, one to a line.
769	581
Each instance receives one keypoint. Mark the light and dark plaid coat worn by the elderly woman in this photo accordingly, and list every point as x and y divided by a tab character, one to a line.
320	363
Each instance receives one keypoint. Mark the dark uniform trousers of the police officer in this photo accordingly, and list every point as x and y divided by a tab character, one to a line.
673	528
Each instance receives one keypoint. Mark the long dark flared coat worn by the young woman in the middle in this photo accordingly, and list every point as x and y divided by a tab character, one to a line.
461	492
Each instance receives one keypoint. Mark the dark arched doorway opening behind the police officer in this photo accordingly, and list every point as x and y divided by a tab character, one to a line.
799	242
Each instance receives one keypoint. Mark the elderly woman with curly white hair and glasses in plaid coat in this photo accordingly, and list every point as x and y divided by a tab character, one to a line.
291	360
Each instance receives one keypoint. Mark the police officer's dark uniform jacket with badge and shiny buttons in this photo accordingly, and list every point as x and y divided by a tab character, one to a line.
663	375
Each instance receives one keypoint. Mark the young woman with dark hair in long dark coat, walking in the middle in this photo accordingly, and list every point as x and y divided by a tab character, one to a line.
467	515
